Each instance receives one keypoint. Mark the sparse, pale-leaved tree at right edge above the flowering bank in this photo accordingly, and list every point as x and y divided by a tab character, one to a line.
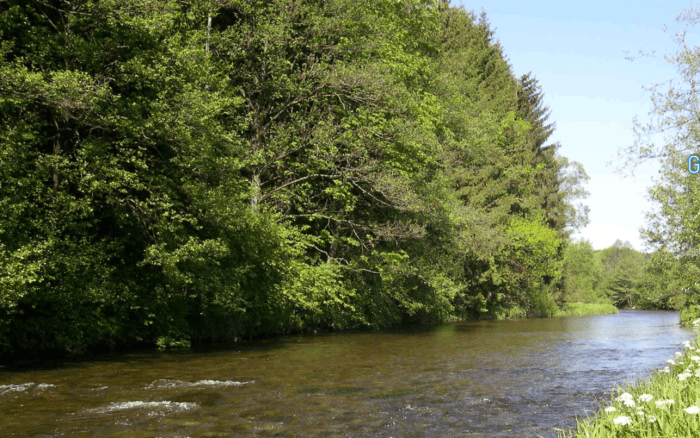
674	227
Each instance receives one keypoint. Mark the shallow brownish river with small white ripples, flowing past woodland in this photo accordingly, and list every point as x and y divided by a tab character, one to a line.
518	378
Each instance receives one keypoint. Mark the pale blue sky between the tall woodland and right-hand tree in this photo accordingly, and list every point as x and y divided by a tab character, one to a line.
576	50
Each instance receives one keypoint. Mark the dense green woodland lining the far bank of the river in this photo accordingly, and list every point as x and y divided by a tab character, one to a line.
176	172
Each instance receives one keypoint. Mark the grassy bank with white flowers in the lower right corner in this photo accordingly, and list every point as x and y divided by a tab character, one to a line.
665	405
